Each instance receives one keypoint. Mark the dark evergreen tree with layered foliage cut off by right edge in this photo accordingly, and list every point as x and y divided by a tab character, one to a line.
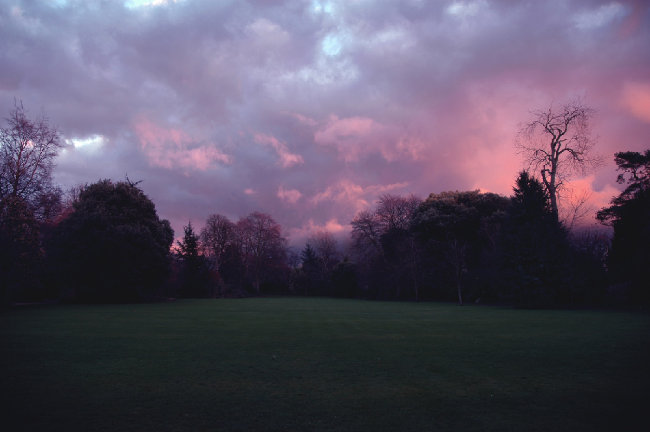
629	215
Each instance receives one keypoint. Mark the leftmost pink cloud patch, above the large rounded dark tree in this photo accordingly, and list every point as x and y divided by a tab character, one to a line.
172	148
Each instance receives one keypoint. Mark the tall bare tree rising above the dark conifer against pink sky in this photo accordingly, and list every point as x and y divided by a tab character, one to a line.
557	144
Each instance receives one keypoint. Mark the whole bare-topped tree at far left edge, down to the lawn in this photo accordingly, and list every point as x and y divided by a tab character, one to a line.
27	199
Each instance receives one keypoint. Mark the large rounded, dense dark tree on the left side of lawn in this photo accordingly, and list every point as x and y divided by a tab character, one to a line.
112	247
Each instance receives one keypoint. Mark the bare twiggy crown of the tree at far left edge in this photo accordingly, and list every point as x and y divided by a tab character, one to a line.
27	151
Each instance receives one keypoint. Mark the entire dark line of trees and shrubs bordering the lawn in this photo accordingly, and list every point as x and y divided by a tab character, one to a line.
104	242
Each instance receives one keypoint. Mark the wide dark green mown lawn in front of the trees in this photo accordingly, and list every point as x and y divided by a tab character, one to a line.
311	364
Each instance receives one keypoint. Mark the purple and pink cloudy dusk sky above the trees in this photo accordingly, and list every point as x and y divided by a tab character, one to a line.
311	110
